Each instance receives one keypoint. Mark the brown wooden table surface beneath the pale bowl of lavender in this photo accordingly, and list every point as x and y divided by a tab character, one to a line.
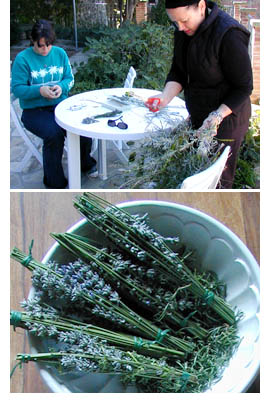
35	214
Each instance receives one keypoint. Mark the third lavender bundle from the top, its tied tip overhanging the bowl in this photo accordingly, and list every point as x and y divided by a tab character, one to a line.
98	295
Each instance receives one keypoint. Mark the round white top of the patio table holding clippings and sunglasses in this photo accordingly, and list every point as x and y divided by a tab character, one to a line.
76	112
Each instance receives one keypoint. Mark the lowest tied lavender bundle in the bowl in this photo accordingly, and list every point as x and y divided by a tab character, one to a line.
94	355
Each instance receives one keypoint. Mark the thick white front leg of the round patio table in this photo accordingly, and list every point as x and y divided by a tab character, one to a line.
74	161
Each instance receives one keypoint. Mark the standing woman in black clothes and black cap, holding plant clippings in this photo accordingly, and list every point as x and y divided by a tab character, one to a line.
212	65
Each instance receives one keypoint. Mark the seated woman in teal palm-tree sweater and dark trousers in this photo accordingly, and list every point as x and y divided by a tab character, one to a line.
41	78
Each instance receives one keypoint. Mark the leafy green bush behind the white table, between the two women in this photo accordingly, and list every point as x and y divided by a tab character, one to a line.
146	47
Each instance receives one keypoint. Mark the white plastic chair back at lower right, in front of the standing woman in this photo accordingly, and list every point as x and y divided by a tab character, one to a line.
209	178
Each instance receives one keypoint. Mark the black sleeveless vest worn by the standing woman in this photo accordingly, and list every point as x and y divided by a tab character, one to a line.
206	86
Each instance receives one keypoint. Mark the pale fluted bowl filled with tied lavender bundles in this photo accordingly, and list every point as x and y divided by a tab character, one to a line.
178	315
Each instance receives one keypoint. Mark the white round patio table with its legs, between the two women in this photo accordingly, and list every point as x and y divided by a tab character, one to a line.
75	113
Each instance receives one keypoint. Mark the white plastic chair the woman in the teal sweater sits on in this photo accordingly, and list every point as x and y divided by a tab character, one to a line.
32	142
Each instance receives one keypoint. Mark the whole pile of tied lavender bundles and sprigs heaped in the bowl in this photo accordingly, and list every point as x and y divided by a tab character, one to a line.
136	308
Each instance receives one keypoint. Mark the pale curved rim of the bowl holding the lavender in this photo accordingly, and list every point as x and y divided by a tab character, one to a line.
254	372
